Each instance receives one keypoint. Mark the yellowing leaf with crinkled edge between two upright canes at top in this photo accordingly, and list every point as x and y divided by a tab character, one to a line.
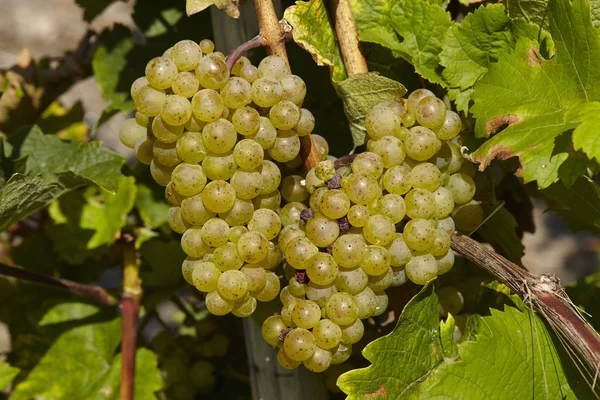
313	32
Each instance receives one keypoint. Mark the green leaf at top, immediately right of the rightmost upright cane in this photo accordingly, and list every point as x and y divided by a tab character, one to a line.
414	29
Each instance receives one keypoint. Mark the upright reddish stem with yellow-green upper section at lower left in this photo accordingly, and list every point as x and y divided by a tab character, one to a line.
130	304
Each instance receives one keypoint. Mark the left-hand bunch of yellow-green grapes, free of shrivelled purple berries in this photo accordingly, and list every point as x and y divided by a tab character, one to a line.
213	137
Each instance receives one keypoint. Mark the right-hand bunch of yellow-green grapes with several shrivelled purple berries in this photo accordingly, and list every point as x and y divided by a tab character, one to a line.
375	220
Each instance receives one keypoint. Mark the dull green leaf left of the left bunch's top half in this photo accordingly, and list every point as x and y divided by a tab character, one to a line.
50	155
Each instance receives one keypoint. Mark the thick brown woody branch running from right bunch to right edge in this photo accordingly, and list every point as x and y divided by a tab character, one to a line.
545	295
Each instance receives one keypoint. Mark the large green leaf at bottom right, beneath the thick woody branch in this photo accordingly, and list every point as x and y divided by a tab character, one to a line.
512	357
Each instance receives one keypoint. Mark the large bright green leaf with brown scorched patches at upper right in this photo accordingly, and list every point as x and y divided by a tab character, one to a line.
535	97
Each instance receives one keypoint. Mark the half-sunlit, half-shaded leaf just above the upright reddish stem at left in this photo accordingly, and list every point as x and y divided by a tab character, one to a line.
83	223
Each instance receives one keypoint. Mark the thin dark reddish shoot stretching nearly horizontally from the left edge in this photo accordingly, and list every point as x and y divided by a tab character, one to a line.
96	292
